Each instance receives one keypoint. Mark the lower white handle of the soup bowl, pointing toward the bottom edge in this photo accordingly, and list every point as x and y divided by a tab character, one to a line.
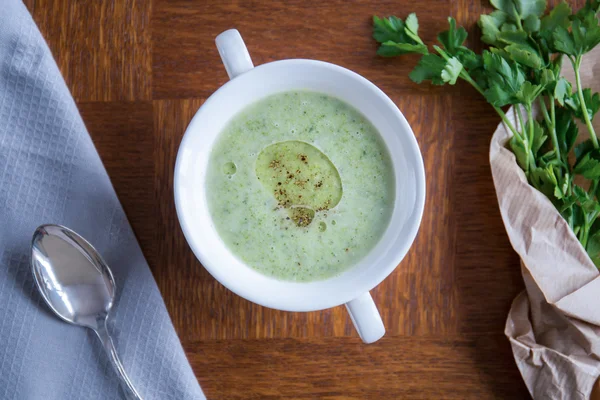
366	318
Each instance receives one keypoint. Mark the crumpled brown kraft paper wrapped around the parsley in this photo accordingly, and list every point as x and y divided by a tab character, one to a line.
554	325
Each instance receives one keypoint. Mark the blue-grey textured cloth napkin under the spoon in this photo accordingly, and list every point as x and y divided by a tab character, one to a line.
50	172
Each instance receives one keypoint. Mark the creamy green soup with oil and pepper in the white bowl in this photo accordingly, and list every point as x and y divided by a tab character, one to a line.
300	186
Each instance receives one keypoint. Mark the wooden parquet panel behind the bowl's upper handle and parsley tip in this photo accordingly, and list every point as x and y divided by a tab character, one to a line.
186	62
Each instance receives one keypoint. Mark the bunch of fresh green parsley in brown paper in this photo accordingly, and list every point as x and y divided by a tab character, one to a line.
522	68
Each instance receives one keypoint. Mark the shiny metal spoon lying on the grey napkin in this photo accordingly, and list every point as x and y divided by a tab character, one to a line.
77	285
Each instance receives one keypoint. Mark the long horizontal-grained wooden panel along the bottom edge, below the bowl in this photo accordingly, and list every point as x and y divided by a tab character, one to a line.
343	368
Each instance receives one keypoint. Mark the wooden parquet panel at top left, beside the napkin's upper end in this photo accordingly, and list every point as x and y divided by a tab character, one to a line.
102	48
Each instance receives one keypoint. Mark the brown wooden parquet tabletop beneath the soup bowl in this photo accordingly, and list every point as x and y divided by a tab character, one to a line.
140	69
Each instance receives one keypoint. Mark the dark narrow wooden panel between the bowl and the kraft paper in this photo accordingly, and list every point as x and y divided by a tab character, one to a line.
488	273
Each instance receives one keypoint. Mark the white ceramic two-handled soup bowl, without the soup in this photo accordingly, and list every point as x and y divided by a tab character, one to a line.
249	84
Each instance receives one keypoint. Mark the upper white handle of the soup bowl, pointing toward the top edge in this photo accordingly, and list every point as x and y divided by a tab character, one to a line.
234	53
